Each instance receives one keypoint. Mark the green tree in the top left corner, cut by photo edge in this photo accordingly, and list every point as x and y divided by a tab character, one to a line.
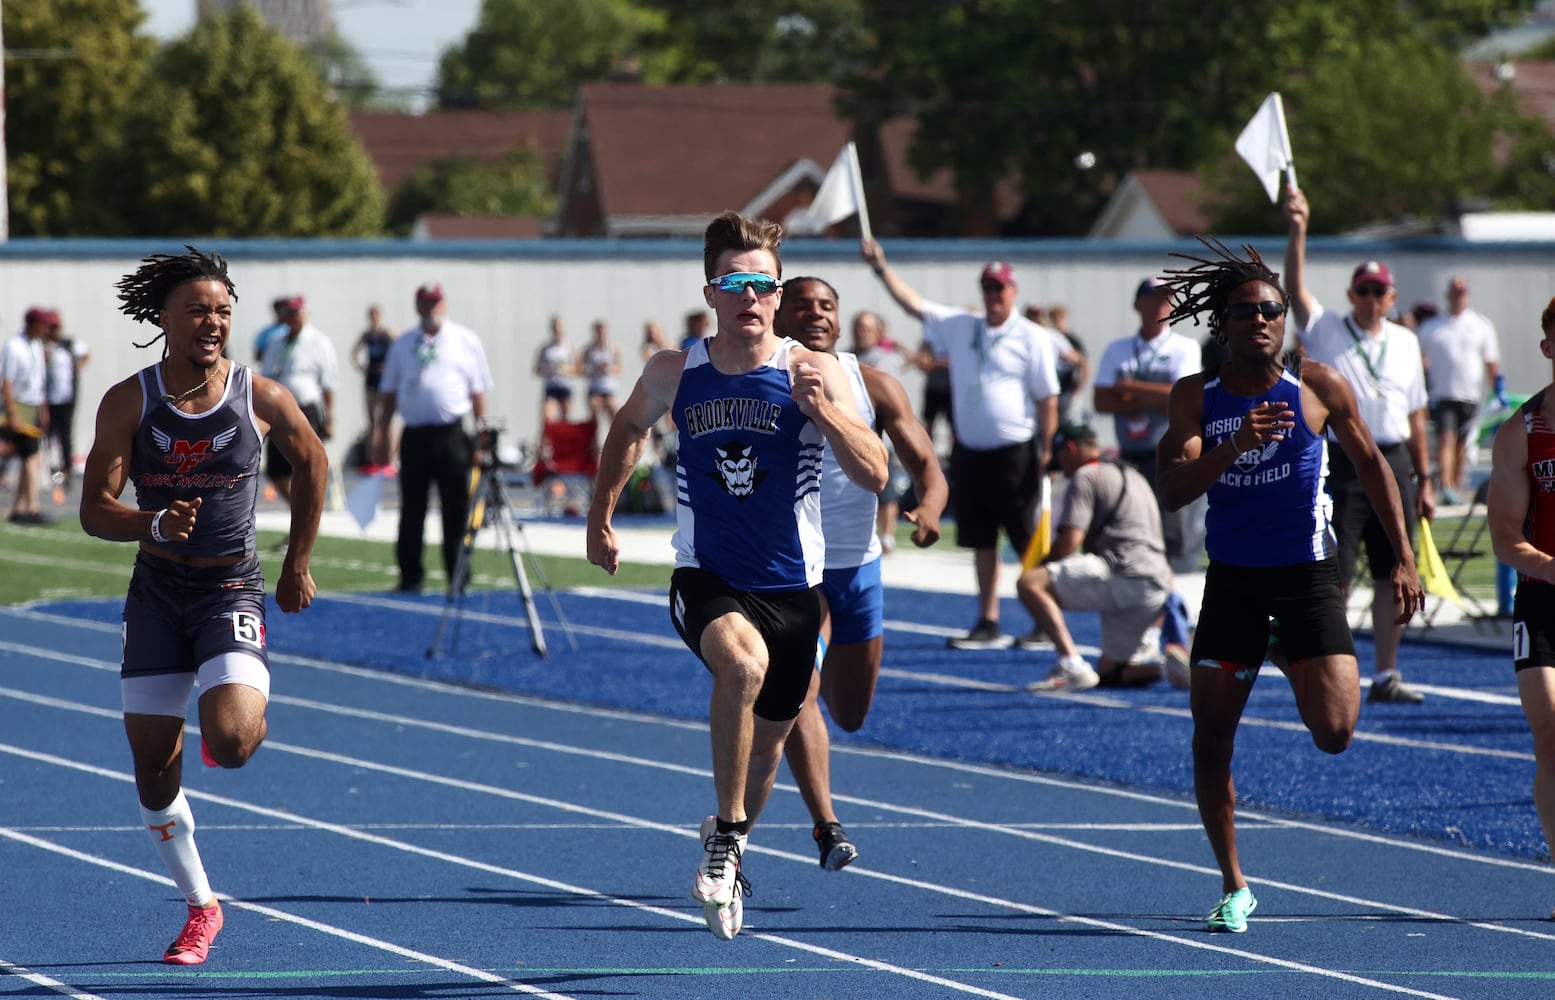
71	72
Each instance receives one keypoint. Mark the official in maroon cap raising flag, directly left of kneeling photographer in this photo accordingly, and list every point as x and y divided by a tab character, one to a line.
1005	399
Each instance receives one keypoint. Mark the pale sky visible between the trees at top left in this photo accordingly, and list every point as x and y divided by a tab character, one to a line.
400	40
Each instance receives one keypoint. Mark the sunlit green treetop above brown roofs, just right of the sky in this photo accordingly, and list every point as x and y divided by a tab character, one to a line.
534	54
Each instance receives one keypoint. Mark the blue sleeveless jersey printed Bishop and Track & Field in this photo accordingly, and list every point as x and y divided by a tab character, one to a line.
1270	508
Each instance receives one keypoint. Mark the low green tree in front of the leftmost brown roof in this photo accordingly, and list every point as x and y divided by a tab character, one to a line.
463	186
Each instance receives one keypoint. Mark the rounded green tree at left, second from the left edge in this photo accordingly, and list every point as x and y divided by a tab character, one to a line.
237	136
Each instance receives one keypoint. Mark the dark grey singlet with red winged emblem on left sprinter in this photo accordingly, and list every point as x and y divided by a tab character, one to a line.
214	455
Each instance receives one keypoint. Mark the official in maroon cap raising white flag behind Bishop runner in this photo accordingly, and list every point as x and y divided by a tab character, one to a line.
1382	363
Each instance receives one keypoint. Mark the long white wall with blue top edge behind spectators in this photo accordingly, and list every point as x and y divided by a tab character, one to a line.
508	292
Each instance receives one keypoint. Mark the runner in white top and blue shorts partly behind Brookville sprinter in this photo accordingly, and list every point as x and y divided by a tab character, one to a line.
851	590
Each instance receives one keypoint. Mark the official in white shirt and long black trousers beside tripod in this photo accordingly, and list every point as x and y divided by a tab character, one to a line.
436	376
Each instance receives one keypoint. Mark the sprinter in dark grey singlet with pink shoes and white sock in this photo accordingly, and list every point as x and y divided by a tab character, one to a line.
187	432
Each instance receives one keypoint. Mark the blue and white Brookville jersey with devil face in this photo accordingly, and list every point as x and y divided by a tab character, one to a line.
749	477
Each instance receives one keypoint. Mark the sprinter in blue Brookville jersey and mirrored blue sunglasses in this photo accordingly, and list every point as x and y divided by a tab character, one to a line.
753	411
